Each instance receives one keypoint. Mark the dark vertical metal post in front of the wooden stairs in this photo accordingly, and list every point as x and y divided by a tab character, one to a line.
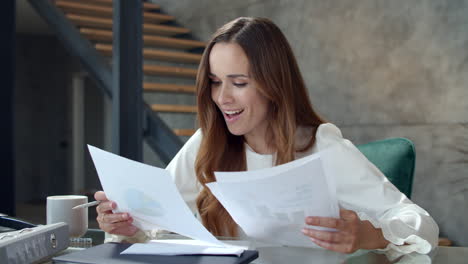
127	73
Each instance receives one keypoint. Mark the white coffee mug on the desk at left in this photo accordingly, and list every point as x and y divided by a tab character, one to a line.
59	209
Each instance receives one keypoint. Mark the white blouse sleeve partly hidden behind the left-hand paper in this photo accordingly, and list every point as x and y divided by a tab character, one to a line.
182	170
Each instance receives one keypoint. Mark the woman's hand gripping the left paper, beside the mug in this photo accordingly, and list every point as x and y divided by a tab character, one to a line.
117	224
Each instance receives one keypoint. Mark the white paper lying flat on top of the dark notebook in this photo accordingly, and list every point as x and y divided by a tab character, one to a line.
181	247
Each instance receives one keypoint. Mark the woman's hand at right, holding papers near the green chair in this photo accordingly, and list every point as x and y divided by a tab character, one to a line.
352	233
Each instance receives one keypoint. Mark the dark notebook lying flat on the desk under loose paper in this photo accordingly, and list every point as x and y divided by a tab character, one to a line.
110	253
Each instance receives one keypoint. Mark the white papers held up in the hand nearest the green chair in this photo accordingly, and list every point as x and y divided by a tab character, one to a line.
271	204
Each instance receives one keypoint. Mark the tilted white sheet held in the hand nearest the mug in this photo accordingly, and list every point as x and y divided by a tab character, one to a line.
149	195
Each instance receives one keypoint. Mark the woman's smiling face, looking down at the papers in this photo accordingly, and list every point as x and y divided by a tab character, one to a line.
236	93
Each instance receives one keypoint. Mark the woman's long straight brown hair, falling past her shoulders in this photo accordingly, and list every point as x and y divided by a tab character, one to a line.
273	65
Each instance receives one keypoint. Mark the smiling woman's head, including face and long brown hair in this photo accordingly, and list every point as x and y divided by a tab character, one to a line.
249	90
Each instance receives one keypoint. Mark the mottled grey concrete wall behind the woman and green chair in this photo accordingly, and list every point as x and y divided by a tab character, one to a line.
379	69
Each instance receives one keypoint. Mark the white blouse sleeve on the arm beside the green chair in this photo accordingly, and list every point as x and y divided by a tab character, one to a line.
361	187
